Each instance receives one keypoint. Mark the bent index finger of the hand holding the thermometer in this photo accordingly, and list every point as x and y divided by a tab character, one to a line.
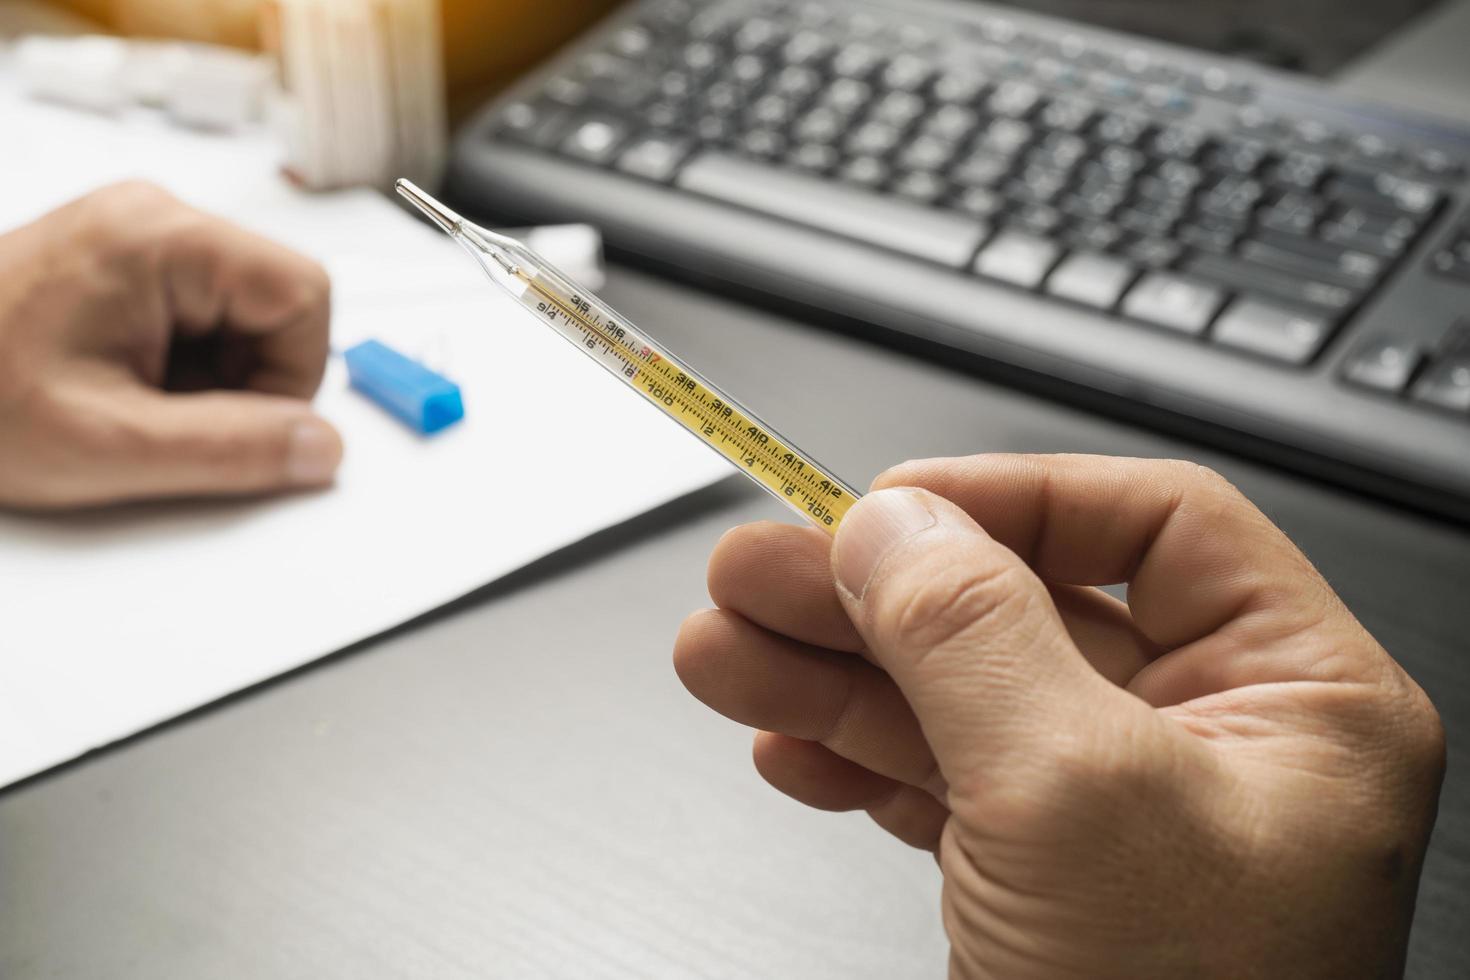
1194	552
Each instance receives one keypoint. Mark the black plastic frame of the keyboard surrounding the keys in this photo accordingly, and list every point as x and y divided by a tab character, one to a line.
1305	418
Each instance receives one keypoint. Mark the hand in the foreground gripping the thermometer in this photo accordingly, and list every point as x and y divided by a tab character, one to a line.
1222	778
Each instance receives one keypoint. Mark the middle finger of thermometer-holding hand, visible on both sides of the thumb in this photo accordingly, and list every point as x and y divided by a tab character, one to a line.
780	578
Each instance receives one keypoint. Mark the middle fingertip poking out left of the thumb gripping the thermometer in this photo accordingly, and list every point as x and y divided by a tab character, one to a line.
781	577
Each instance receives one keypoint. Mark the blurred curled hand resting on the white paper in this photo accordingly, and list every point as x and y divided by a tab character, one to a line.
152	350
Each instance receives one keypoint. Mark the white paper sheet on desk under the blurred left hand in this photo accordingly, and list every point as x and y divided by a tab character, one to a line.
112	622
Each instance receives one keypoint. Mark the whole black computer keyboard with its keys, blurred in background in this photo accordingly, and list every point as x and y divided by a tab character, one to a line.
1215	242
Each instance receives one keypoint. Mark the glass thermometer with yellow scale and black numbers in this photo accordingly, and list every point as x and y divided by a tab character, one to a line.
717	419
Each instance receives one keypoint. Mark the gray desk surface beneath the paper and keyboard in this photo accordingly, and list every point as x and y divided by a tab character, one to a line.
518	787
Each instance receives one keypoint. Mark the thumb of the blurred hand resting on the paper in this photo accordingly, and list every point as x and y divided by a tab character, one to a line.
217	443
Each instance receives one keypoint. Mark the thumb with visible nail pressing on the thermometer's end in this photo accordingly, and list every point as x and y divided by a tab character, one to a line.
965	630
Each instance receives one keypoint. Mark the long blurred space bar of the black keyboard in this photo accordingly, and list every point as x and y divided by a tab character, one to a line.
845	211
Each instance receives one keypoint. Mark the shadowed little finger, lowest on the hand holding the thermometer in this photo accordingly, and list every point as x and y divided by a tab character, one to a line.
818	778
